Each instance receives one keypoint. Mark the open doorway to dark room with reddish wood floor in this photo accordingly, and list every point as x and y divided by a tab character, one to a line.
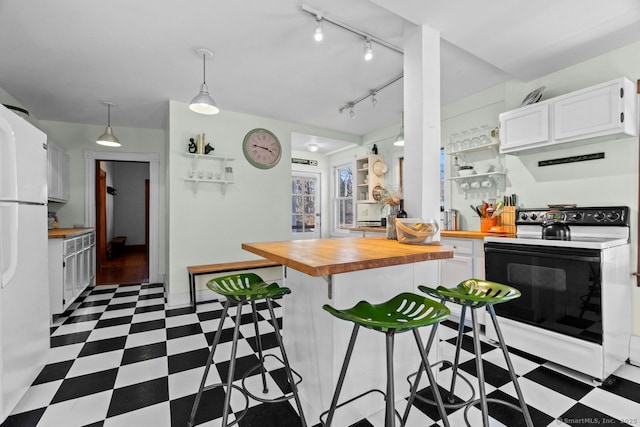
122	222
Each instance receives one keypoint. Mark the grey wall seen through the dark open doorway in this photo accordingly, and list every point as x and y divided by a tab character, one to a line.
129	203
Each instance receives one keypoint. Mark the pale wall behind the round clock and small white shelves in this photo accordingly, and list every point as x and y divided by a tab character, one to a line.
207	227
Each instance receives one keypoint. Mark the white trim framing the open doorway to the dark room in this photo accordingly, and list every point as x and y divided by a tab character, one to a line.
154	192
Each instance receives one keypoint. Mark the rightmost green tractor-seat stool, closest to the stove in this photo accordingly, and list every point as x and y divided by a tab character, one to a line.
475	294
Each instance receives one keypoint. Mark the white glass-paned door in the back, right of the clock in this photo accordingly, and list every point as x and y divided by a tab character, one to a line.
305	205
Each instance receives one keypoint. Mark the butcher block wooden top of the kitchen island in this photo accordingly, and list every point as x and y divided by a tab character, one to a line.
322	257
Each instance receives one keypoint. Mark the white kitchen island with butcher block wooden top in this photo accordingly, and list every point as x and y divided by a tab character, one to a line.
341	272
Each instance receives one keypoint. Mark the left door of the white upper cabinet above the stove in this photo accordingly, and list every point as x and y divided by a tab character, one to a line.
524	127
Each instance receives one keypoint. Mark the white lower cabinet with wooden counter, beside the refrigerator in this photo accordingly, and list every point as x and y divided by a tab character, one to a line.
71	269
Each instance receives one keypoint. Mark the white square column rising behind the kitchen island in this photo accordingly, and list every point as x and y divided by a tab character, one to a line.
422	122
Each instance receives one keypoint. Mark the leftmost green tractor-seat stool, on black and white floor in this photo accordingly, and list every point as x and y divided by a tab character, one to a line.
238	290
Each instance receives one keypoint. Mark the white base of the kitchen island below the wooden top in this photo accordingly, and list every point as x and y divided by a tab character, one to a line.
316	342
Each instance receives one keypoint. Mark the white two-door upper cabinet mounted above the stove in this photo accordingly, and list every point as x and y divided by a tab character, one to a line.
607	110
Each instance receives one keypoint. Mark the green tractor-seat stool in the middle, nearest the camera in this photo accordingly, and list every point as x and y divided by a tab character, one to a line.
404	312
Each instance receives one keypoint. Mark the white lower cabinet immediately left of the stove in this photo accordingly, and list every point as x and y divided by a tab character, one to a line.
467	263
